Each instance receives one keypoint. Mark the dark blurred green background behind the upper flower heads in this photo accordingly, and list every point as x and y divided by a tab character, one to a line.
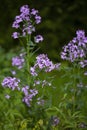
60	20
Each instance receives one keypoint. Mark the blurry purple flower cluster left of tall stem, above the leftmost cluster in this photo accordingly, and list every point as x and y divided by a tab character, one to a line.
18	61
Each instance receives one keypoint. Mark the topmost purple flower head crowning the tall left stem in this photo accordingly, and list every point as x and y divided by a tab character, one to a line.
26	21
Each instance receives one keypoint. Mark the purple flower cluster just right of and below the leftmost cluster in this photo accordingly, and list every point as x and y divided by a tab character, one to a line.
28	95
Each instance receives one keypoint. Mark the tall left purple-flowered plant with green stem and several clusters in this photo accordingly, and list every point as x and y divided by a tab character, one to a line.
31	86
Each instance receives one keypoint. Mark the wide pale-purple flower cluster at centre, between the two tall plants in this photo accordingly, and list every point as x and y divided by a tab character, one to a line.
43	62
